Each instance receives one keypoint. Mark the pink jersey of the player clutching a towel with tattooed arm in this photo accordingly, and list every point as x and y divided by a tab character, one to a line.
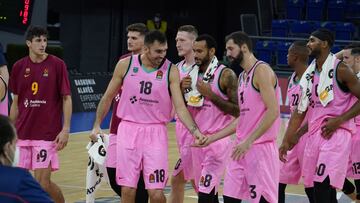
209	117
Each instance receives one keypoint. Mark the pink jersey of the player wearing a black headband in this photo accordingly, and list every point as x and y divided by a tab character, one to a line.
317	113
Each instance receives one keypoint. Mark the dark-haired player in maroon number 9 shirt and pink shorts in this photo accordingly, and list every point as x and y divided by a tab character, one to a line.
41	109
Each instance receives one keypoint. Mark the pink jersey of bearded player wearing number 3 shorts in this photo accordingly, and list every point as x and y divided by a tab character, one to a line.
253	109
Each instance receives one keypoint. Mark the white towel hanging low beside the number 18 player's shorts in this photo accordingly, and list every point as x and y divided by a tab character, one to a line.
96	170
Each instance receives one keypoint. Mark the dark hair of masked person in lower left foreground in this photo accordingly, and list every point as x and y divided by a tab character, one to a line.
7	132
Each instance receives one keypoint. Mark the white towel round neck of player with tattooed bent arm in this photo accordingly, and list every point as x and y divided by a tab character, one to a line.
193	96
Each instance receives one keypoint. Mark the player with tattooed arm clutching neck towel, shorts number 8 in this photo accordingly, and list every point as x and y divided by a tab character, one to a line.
220	101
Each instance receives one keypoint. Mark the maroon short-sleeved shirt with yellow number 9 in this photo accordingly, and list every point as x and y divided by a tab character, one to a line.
40	88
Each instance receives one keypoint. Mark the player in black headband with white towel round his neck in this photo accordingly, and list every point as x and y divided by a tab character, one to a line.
327	89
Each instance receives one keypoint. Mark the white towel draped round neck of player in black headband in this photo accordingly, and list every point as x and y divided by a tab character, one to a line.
325	88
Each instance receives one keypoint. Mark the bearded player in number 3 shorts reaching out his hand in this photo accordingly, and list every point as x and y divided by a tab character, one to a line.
253	170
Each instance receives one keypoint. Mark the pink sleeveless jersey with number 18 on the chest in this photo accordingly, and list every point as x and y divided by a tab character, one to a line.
145	94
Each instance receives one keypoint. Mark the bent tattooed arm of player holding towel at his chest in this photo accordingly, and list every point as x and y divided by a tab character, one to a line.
228	84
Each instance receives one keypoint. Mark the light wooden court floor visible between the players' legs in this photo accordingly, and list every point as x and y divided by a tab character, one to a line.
73	165
